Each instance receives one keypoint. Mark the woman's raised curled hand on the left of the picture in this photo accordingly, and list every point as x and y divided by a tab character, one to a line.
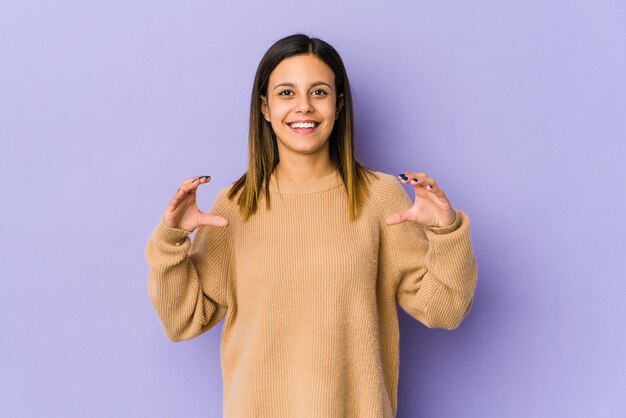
182	211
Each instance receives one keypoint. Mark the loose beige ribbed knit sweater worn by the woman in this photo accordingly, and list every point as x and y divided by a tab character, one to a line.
309	298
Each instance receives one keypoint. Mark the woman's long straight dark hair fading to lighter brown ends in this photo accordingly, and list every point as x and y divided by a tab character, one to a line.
262	146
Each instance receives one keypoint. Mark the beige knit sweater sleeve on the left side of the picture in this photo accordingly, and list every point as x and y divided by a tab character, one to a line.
187	281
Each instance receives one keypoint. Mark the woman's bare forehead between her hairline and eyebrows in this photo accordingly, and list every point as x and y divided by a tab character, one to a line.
303	69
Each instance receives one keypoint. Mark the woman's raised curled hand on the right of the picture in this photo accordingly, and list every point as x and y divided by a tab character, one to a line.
431	206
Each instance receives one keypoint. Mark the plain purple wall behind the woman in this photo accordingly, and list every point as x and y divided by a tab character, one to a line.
517	110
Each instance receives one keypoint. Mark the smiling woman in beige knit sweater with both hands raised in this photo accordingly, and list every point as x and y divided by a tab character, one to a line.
307	254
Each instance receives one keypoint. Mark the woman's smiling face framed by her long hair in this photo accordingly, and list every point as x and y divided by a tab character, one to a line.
301	105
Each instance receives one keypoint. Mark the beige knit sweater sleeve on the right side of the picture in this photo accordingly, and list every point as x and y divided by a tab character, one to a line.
435	267
